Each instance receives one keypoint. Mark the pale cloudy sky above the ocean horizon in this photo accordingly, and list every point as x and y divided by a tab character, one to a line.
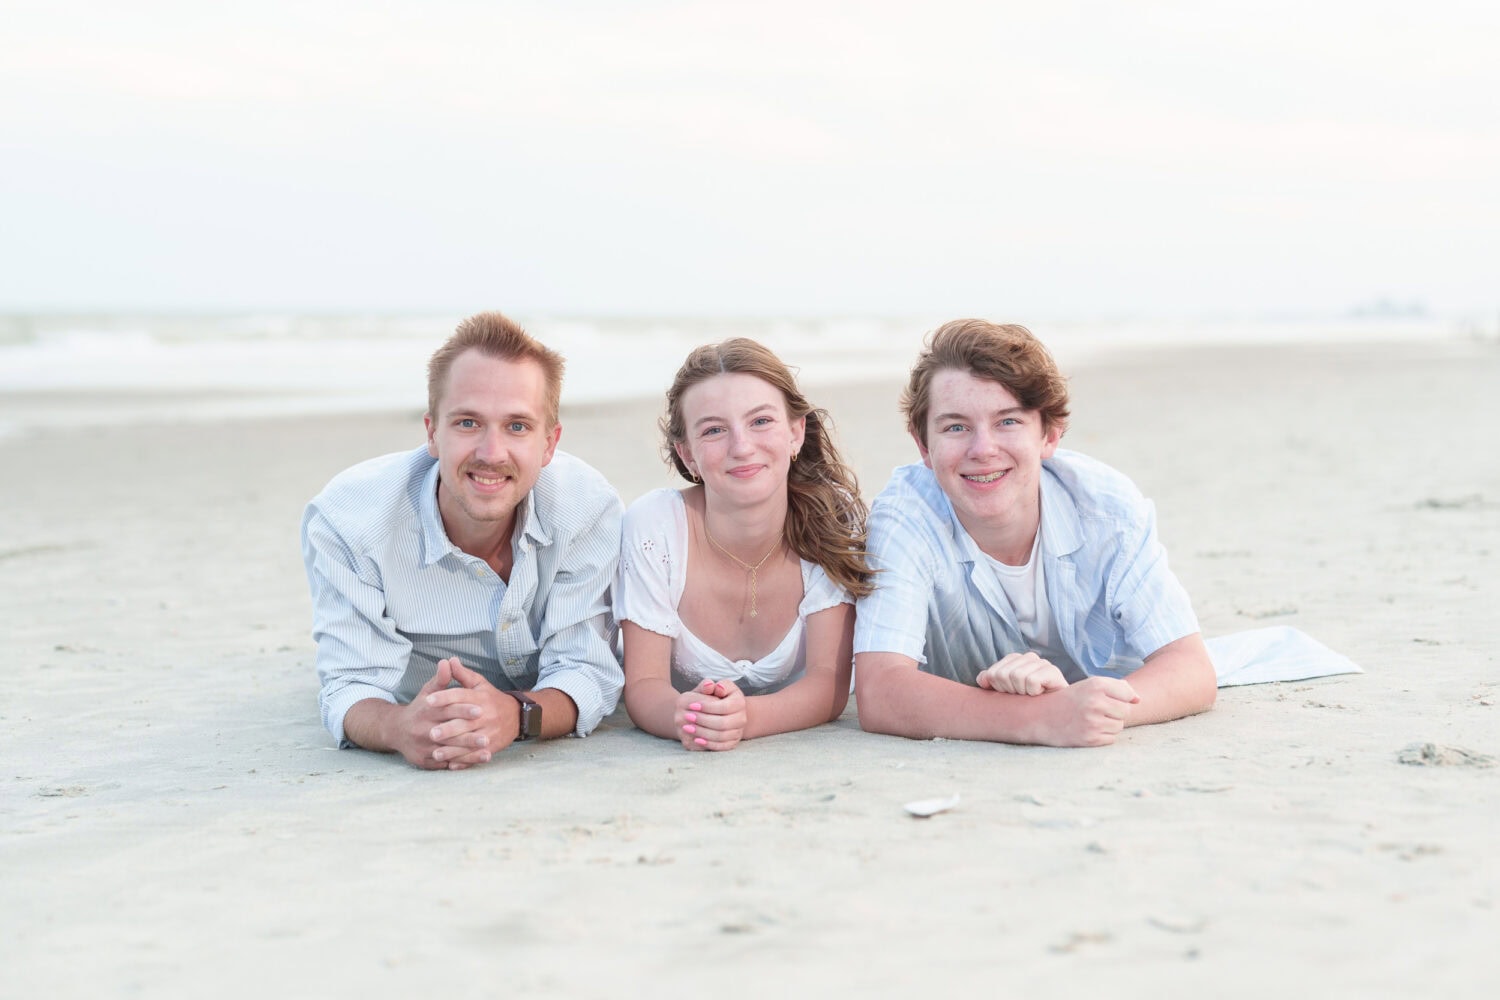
776	158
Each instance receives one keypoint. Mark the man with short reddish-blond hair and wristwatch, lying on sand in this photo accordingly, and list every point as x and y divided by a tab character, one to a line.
461	591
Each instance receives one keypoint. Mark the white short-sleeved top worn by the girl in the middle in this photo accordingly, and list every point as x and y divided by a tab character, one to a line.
649	588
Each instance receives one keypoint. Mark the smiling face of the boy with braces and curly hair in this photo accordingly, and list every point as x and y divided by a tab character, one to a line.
986	452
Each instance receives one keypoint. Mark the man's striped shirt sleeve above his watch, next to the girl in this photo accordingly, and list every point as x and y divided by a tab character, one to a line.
578	632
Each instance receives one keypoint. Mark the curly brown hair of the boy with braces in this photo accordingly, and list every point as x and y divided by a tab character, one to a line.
1001	353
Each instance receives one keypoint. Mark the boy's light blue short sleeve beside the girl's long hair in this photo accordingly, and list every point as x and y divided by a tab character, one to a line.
895	617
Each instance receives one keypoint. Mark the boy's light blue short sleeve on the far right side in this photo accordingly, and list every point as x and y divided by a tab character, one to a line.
1147	602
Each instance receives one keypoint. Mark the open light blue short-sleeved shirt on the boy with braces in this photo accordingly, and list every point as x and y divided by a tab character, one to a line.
1112	596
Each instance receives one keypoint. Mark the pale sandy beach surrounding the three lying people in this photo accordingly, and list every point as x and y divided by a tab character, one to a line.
175	822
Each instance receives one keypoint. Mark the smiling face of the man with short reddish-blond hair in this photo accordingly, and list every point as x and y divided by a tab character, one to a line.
491	439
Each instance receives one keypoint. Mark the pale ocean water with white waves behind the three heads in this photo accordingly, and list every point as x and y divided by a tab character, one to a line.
110	370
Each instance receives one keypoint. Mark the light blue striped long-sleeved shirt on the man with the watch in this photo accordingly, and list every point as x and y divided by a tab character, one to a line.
392	596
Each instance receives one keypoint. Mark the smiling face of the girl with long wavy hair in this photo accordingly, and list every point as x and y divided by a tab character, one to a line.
739	439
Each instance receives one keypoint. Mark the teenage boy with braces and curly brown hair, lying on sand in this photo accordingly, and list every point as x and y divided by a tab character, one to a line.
1022	594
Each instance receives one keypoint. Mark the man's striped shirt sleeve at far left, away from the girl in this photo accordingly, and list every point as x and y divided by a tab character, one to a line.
361	654
